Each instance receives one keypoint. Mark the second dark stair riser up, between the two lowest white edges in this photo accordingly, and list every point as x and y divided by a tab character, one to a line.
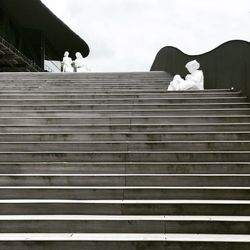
89	226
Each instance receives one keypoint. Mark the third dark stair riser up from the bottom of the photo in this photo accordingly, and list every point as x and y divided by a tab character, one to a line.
124	209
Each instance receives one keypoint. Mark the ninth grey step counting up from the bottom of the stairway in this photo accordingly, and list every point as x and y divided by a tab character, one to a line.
125	136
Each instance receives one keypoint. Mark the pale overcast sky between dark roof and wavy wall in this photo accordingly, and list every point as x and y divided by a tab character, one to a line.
125	35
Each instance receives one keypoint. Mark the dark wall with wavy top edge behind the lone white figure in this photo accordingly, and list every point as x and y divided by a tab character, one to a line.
224	67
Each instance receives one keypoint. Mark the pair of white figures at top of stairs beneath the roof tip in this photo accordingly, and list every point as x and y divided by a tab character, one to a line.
78	65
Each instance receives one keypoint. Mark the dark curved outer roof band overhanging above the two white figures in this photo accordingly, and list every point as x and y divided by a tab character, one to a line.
34	14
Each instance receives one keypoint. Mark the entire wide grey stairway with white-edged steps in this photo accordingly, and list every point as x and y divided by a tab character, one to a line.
113	161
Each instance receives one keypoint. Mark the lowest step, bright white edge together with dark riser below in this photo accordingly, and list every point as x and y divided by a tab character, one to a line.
124	241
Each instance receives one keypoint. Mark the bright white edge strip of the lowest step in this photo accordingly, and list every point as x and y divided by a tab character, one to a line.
45	237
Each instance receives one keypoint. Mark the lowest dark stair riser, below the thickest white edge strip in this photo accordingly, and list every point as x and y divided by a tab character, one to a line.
122	245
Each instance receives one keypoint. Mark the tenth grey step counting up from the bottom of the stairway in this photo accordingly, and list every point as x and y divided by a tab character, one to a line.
139	127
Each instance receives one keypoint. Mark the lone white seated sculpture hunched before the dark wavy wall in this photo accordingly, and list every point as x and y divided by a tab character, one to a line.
193	81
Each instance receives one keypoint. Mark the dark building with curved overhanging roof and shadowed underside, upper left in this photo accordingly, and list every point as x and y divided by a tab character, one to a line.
36	32
